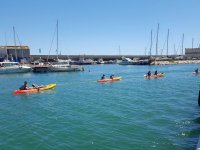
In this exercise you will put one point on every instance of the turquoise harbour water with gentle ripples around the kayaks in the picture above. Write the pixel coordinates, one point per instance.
(134, 113)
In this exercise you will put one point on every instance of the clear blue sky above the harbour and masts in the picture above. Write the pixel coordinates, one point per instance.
(100, 26)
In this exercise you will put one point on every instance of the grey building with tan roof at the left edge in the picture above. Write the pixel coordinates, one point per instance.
(15, 53)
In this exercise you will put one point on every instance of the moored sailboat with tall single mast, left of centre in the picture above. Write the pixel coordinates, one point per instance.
(63, 65)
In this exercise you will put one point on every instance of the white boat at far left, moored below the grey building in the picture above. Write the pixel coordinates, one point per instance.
(13, 67)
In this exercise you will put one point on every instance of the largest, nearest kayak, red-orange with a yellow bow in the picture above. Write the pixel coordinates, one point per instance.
(33, 90)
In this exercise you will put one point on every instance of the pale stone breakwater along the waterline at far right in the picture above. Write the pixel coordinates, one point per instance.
(172, 62)
